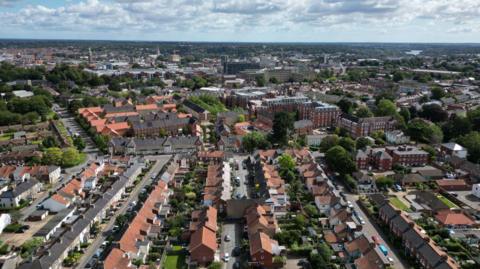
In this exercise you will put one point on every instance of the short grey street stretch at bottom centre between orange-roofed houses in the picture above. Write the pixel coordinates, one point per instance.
(234, 230)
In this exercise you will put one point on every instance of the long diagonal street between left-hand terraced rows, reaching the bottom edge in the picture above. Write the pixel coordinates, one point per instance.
(90, 251)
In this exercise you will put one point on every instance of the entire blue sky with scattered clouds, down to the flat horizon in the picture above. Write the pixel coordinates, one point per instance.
(244, 20)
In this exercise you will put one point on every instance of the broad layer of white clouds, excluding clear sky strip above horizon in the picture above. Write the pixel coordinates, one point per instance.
(218, 17)
